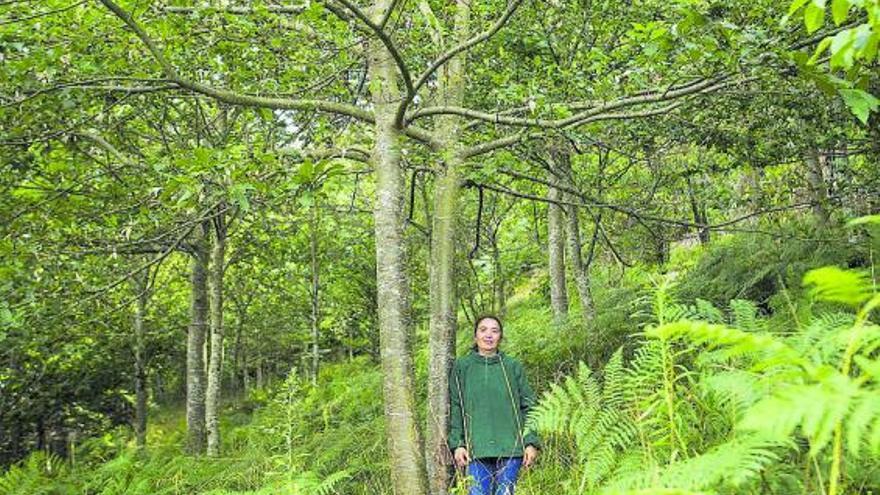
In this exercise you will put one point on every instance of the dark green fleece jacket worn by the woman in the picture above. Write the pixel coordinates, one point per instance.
(489, 401)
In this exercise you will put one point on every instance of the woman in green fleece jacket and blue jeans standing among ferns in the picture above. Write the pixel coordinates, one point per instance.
(489, 399)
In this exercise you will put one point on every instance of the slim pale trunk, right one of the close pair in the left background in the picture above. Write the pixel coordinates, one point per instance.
(215, 365)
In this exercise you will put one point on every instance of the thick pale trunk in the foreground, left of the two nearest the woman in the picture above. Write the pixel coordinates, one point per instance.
(402, 430)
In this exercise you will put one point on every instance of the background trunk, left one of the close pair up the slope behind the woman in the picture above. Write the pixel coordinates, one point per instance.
(556, 255)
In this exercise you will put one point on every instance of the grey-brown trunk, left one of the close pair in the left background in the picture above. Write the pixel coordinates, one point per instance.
(195, 347)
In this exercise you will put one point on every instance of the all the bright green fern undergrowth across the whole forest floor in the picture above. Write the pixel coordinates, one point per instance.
(683, 400)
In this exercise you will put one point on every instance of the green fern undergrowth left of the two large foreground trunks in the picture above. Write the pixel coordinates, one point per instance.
(300, 439)
